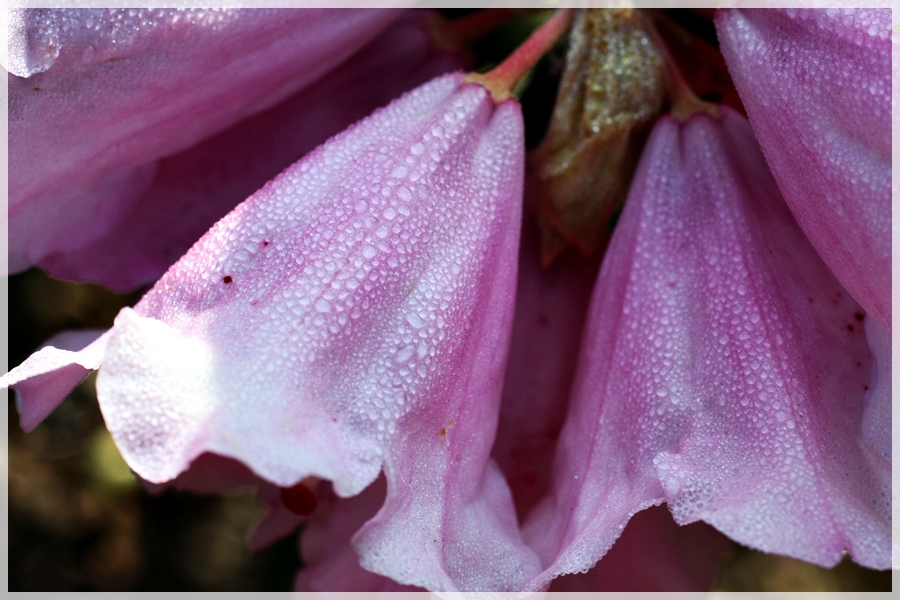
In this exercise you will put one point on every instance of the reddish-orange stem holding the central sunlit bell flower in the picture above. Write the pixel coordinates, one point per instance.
(502, 79)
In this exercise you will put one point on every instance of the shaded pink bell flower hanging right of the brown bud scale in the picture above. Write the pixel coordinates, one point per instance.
(723, 372)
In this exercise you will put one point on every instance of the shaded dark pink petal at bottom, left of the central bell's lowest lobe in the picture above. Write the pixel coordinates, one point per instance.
(330, 563)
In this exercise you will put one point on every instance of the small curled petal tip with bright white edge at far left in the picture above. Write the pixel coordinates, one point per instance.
(48, 375)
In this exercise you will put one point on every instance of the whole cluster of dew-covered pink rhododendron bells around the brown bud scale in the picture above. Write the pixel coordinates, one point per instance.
(343, 334)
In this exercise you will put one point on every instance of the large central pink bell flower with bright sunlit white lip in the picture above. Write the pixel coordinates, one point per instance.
(338, 320)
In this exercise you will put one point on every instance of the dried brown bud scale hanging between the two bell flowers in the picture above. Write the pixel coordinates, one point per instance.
(613, 87)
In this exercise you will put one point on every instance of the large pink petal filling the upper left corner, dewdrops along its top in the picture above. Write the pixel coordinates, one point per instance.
(96, 96)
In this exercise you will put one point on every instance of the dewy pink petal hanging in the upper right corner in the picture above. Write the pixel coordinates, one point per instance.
(817, 87)
